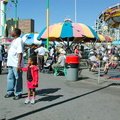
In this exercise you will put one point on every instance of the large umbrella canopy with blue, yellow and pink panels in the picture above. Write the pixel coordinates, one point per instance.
(68, 30)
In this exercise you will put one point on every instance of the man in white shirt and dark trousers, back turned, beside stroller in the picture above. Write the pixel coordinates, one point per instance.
(41, 51)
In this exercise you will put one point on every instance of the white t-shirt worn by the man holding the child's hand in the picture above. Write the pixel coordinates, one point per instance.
(16, 47)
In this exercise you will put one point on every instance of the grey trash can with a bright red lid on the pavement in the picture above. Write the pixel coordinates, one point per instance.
(72, 67)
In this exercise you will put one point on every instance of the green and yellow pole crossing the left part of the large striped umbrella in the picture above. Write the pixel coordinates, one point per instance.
(47, 23)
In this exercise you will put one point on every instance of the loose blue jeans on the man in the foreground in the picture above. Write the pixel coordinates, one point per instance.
(14, 81)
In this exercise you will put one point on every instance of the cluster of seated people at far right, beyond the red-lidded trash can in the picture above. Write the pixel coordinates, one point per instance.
(106, 56)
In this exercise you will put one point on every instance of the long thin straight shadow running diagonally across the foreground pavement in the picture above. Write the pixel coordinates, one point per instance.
(58, 103)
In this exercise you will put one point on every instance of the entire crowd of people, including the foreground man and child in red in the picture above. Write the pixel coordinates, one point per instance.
(18, 54)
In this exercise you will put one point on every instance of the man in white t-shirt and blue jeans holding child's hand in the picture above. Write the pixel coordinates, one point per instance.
(14, 63)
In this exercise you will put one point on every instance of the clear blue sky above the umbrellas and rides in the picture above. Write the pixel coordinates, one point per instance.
(87, 11)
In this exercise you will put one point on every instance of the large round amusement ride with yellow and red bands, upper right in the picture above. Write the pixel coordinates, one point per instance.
(108, 22)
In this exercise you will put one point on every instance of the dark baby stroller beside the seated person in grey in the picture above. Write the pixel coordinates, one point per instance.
(47, 68)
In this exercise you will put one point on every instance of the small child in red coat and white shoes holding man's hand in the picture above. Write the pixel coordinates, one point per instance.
(32, 78)
